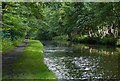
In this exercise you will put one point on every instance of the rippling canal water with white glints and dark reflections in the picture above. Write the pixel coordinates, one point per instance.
(79, 61)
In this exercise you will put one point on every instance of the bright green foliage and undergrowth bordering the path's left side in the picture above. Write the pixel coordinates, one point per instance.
(20, 21)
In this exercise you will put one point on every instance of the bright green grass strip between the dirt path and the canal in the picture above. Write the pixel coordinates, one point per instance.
(31, 65)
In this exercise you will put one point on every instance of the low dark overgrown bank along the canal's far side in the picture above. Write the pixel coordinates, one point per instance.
(108, 41)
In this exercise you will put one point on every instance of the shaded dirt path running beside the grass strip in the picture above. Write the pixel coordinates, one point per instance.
(9, 57)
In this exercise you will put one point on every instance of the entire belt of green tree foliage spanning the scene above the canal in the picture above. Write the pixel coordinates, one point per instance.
(36, 20)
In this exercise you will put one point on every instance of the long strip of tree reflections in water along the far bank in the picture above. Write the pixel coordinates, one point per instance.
(91, 49)
